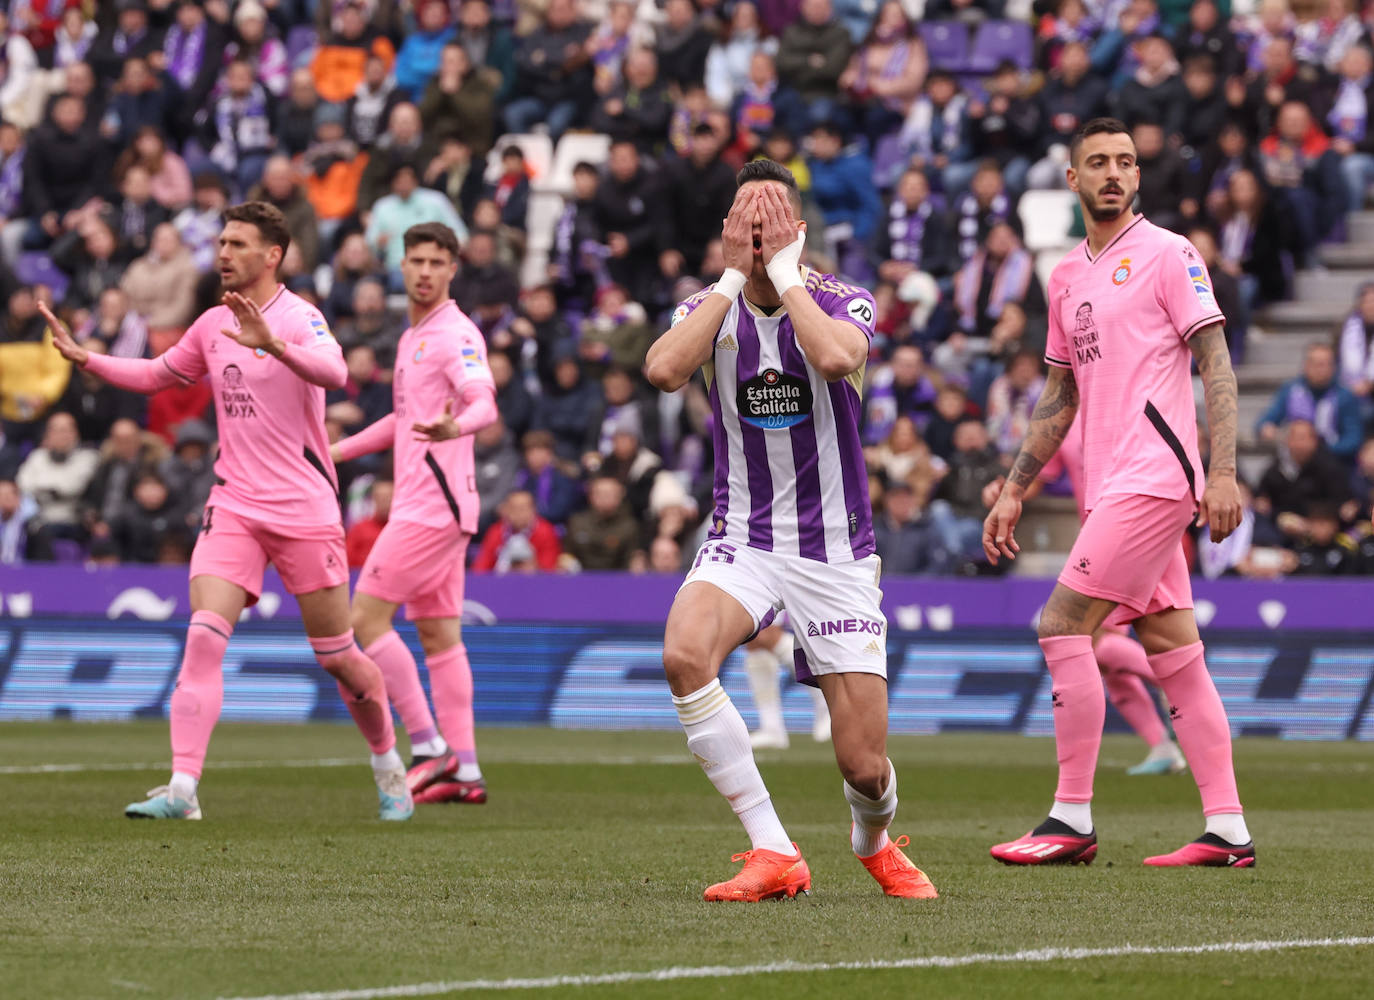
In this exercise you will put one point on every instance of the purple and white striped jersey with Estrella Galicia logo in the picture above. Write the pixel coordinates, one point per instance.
(791, 473)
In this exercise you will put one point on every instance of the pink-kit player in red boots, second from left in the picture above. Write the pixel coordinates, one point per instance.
(443, 395)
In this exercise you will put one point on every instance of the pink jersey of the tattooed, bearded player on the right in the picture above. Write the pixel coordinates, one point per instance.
(1122, 322)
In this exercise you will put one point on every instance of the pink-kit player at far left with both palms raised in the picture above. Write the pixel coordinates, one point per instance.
(270, 358)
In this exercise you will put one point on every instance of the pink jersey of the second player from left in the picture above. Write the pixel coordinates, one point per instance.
(436, 481)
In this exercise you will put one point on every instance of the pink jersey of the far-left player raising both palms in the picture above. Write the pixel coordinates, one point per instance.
(274, 454)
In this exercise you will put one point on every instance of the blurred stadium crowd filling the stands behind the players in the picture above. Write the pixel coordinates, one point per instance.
(126, 128)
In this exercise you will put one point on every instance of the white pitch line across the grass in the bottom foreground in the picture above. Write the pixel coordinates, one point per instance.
(876, 965)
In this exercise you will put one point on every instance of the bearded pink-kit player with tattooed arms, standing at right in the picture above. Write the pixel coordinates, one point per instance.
(1130, 310)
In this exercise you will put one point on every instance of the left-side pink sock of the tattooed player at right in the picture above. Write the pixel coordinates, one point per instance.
(1079, 712)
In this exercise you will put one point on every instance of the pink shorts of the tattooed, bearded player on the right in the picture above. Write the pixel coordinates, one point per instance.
(1130, 552)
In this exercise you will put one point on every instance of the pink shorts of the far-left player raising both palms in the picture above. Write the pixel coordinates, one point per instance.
(238, 549)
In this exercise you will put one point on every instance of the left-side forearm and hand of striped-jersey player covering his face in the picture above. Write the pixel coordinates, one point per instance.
(688, 345)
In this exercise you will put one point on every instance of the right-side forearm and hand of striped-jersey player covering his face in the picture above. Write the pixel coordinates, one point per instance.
(835, 348)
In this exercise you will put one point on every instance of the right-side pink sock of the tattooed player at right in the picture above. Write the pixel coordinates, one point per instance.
(1202, 726)
